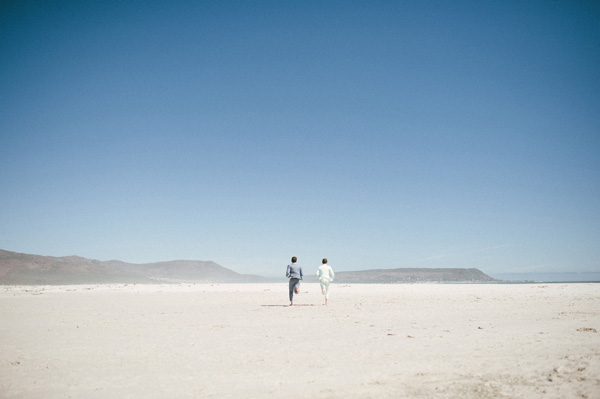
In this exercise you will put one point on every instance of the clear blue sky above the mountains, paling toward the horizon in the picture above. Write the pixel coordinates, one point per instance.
(378, 134)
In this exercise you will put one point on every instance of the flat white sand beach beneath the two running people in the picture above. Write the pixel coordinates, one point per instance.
(243, 341)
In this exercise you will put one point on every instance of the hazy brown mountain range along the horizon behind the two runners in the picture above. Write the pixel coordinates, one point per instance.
(26, 269)
